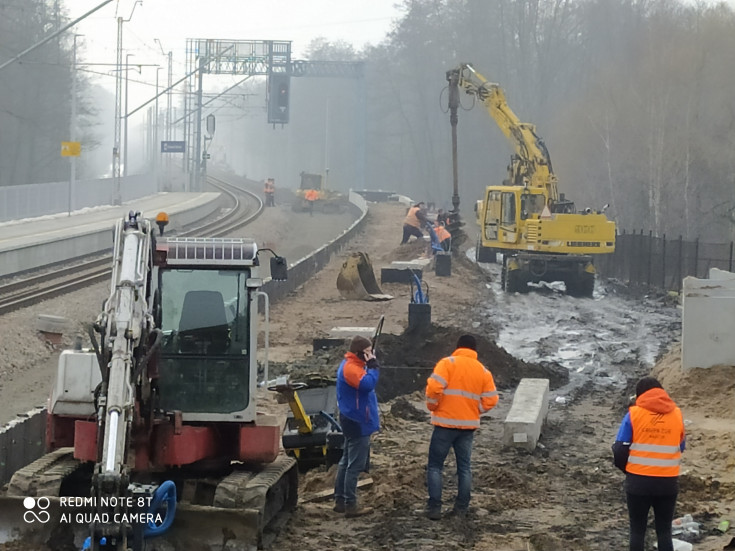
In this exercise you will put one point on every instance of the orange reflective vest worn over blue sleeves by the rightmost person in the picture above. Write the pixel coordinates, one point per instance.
(658, 431)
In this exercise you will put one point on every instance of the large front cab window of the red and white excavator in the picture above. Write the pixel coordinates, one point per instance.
(204, 361)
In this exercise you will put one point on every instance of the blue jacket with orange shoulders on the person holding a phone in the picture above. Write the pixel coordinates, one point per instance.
(356, 392)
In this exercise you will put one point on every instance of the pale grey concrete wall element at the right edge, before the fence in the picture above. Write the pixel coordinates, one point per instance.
(708, 320)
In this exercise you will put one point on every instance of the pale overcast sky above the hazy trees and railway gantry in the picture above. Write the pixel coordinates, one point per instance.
(358, 22)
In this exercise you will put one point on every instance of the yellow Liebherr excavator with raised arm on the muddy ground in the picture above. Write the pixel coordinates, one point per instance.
(539, 232)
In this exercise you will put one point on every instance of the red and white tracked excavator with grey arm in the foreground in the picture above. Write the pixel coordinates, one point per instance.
(157, 426)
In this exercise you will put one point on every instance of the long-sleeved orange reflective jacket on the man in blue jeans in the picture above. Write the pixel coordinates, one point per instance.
(459, 390)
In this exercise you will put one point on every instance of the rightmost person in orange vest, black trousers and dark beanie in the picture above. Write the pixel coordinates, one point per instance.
(648, 449)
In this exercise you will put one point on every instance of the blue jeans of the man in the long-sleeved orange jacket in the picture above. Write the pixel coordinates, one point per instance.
(442, 440)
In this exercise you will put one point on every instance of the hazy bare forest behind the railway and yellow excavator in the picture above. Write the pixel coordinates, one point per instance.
(632, 97)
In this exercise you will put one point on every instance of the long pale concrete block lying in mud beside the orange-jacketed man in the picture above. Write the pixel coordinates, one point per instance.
(522, 427)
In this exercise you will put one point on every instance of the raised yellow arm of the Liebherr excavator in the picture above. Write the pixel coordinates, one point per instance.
(531, 164)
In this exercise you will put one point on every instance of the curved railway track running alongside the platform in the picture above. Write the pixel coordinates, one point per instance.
(243, 206)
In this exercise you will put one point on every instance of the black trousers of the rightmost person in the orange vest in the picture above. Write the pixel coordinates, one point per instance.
(663, 512)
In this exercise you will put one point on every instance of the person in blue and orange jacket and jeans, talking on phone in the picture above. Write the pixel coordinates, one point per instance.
(357, 377)
